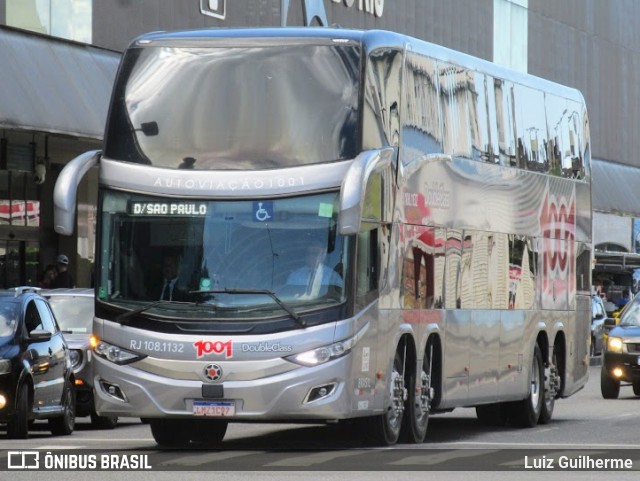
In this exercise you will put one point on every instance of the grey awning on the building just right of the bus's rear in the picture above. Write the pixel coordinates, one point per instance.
(615, 188)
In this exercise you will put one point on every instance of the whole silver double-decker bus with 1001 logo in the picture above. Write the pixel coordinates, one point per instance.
(362, 227)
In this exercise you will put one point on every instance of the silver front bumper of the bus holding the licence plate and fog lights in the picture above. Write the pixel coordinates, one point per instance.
(302, 393)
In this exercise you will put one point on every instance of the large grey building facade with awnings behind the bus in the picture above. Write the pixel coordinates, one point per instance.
(591, 45)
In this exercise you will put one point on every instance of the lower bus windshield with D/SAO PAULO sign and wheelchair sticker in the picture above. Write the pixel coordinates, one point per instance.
(221, 259)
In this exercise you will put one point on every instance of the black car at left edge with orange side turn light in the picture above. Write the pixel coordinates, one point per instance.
(36, 377)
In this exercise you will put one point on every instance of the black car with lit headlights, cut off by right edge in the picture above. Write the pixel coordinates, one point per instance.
(621, 359)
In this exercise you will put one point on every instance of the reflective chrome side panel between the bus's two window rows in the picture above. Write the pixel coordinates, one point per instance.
(446, 191)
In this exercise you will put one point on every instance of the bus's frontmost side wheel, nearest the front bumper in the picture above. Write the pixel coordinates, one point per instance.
(384, 430)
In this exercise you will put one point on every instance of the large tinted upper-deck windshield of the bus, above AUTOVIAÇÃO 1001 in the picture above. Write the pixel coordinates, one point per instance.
(252, 107)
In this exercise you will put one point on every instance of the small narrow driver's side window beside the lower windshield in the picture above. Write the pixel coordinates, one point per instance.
(367, 267)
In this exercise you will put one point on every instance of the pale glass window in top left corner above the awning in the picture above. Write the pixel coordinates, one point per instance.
(70, 19)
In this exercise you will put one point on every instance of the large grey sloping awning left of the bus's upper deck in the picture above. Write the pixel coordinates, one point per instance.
(53, 85)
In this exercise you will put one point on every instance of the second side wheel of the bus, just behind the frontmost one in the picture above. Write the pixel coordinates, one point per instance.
(418, 405)
